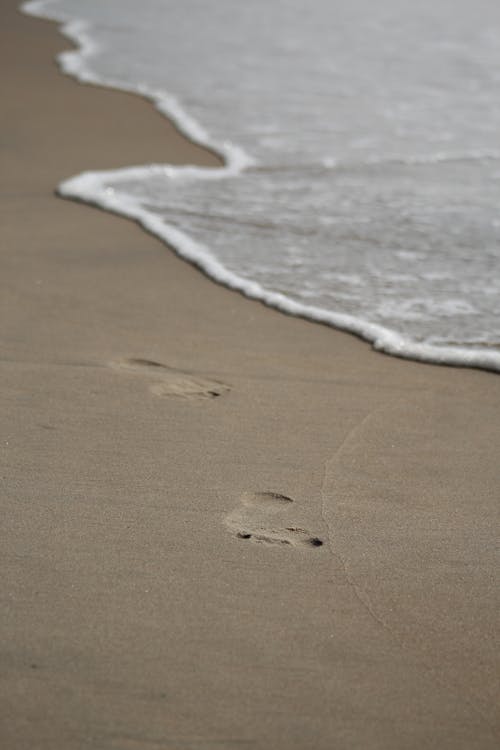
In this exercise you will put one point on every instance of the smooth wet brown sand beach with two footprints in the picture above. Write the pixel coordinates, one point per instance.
(222, 527)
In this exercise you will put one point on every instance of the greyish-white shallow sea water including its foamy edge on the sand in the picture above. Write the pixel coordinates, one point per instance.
(361, 143)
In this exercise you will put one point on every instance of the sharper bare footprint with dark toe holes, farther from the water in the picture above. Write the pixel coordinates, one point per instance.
(261, 517)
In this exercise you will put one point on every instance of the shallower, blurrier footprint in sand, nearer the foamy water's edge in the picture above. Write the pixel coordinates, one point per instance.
(168, 381)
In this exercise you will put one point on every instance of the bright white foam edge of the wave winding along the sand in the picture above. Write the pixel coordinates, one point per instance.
(90, 187)
